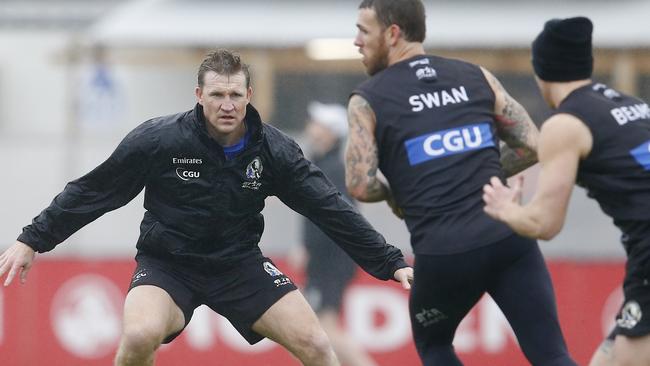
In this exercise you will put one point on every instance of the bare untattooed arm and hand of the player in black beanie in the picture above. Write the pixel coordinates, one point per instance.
(564, 141)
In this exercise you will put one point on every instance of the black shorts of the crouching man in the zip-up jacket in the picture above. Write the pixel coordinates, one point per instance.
(241, 293)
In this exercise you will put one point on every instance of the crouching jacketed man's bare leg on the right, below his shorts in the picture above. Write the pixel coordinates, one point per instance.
(293, 324)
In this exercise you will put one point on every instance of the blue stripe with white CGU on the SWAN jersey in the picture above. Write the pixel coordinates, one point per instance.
(449, 142)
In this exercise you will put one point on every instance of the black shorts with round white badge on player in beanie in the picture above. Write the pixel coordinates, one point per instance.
(633, 319)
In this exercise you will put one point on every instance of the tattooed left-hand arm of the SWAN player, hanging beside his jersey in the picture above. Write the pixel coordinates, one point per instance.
(361, 157)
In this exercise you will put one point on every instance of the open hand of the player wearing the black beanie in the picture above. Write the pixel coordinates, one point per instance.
(500, 200)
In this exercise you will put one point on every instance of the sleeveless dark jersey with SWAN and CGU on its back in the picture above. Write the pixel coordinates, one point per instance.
(437, 147)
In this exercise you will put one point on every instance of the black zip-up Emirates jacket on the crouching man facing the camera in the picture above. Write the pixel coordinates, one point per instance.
(203, 210)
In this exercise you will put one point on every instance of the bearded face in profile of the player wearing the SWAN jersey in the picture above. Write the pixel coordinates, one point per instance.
(371, 42)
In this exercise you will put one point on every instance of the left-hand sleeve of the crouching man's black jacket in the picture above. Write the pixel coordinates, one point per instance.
(107, 187)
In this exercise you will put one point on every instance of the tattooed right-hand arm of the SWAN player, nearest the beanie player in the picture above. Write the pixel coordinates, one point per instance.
(515, 128)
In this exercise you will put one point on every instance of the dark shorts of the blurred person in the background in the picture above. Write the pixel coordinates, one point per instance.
(328, 275)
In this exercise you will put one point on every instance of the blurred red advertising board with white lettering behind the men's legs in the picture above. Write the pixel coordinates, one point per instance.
(69, 313)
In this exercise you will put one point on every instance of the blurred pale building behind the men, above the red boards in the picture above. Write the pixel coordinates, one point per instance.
(299, 51)
